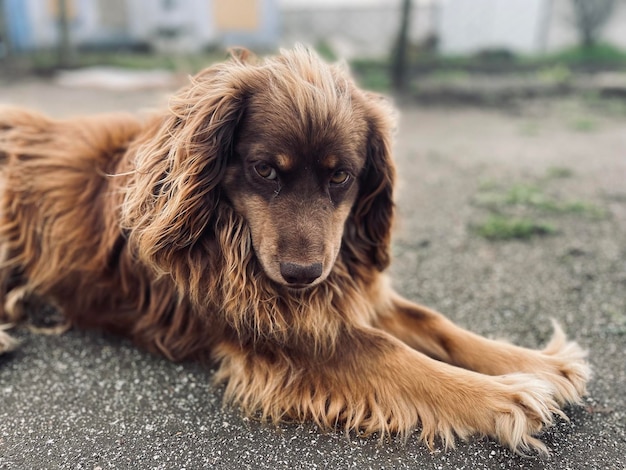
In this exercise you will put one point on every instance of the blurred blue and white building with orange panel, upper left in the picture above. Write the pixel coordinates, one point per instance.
(170, 25)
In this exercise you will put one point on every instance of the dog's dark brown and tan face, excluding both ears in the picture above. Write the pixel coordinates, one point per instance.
(294, 177)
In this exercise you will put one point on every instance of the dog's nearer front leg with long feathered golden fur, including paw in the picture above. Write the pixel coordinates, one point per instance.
(371, 382)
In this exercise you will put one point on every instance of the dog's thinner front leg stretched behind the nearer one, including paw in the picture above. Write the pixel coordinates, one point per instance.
(561, 363)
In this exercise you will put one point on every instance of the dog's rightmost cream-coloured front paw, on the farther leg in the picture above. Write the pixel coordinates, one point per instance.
(565, 368)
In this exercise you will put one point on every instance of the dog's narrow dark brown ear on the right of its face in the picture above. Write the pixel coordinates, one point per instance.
(368, 229)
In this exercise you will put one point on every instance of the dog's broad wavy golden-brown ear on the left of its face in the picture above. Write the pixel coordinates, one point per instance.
(174, 187)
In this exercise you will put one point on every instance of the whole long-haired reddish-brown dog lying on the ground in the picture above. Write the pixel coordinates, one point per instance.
(250, 225)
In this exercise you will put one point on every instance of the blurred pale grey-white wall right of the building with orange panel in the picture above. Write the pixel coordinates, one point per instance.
(369, 27)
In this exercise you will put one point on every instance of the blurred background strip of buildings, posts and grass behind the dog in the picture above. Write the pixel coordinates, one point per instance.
(431, 49)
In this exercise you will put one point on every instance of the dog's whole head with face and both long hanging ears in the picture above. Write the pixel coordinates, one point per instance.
(299, 152)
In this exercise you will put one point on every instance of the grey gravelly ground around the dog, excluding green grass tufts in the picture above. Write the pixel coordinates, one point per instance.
(87, 400)
